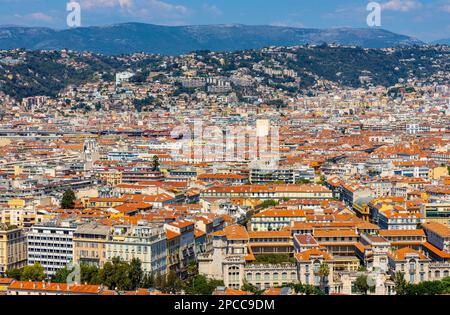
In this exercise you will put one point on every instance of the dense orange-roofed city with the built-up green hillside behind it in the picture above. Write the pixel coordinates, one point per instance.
(225, 173)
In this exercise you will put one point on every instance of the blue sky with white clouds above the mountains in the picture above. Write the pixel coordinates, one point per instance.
(424, 19)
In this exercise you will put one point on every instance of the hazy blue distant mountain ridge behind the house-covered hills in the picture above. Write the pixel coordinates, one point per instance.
(175, 40)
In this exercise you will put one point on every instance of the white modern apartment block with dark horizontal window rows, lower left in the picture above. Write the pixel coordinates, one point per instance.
(51, 245)
